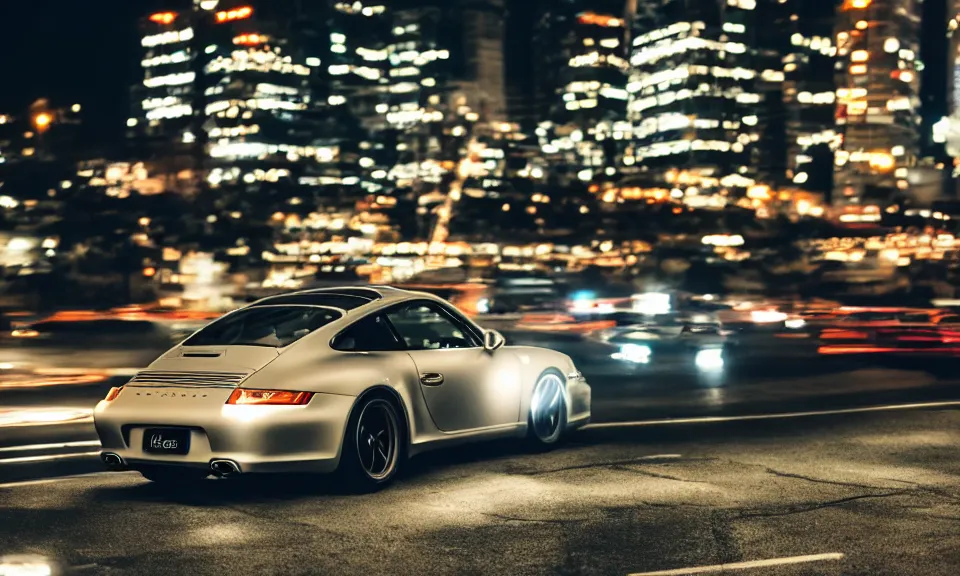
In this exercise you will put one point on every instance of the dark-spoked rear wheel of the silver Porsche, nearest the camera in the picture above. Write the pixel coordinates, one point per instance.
(372, 449)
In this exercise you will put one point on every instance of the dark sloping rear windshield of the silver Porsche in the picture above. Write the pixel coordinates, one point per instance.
(271, 326)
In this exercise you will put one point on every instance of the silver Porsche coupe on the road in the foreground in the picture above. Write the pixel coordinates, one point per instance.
(352, 380)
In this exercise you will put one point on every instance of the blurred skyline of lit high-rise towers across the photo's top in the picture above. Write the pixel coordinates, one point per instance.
(638, 100)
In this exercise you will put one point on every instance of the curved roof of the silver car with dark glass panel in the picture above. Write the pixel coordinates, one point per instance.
(344, 299)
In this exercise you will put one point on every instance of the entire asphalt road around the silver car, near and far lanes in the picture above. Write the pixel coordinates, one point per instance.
(767, 462)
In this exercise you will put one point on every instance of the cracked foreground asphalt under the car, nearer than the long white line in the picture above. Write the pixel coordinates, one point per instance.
(870, 494)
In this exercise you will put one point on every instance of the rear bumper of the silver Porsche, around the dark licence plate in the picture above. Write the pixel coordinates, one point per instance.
(257, 438)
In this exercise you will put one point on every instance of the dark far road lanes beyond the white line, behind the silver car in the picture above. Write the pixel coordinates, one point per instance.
(46, 427)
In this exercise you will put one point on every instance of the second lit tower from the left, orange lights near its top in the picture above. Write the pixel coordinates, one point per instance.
(268, 114)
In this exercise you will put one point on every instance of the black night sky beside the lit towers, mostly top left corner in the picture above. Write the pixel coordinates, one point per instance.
(86, 51)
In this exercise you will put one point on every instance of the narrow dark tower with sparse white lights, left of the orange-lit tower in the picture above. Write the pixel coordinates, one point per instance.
(808, 52)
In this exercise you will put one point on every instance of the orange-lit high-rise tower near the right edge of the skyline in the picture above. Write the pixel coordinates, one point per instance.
(878, 102)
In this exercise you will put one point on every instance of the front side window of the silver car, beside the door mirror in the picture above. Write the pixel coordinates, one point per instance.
(425, 327)
